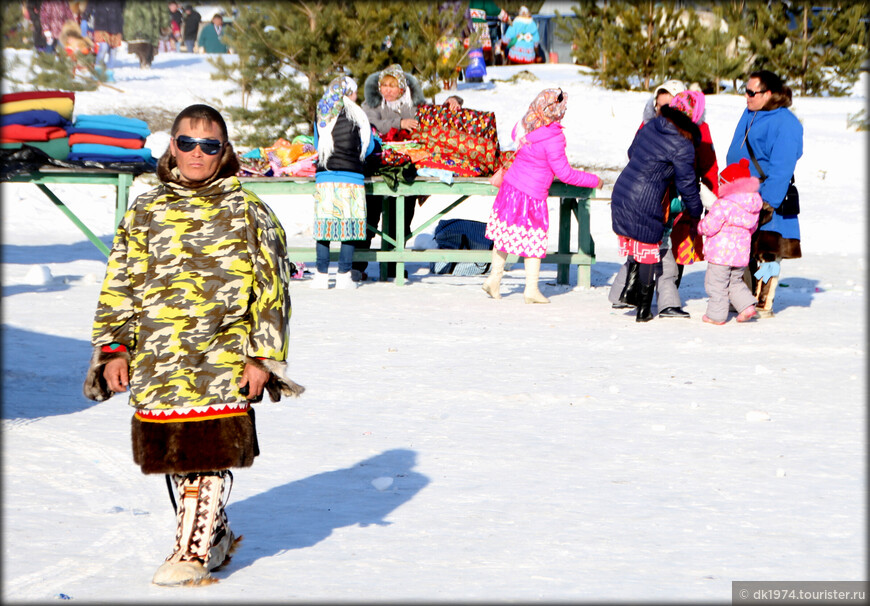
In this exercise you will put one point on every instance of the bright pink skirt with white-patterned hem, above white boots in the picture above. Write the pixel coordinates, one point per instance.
(518, 224)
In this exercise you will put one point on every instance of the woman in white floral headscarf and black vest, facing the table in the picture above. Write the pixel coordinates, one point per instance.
(343, 138)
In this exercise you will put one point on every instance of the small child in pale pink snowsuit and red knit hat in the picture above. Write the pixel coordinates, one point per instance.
(728, 229)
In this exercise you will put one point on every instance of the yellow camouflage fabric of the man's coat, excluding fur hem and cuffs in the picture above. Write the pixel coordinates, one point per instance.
(196, 285)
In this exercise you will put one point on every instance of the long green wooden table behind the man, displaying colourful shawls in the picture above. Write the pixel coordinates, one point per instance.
(574, 204)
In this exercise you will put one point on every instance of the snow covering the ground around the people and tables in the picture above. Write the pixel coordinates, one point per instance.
(453, 447)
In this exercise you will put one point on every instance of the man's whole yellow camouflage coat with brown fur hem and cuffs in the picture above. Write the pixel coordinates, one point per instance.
(196, 287)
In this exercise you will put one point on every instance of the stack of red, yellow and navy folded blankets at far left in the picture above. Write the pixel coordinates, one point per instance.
(37, 119)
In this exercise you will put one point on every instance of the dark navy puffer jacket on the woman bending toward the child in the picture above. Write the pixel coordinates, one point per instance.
(659, 155)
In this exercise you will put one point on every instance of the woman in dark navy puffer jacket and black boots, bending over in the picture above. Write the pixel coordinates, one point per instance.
(663, 152)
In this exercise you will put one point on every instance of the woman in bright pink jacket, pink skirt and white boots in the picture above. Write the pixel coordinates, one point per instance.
(520, 219)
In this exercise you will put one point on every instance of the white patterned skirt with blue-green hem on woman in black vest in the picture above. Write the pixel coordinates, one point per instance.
(339, 212)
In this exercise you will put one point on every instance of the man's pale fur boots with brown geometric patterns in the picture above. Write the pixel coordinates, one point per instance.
(203, 539)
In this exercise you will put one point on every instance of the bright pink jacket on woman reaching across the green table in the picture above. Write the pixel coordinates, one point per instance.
(542, 157)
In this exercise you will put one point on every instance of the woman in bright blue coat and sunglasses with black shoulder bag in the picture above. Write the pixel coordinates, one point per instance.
(772, 133)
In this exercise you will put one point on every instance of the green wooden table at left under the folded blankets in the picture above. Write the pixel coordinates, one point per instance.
(49, 175)
